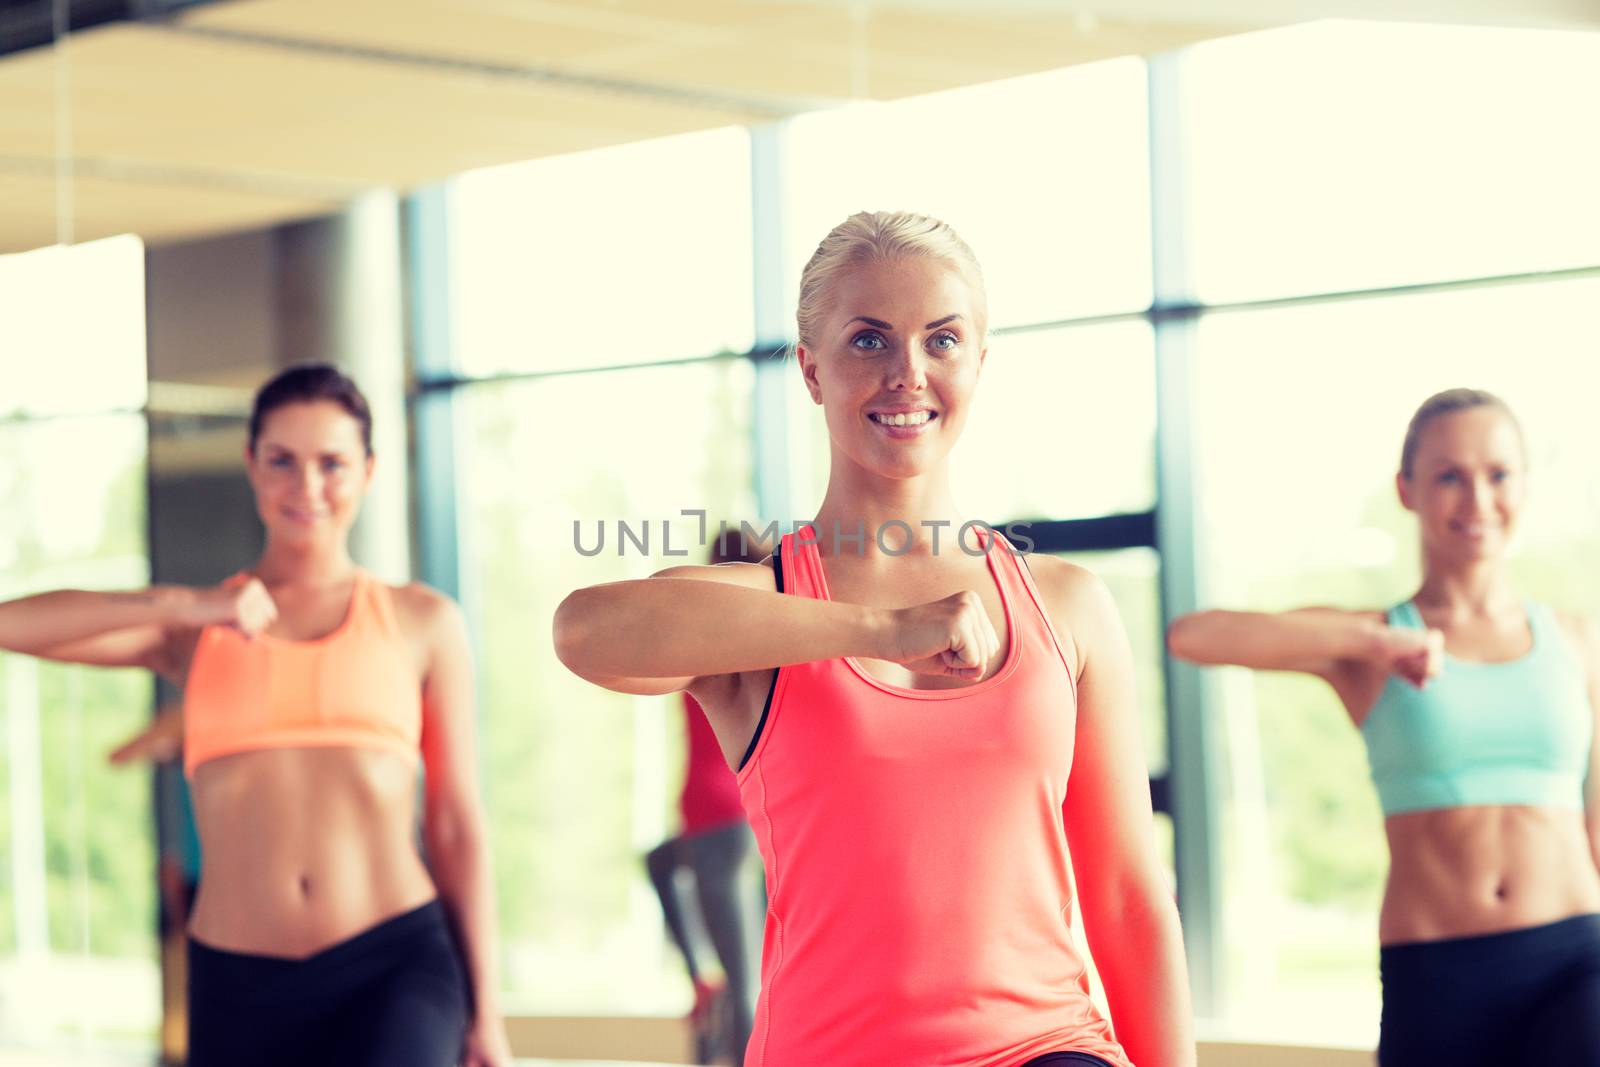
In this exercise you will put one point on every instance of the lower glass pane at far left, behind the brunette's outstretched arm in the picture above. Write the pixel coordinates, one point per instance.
(78, 861)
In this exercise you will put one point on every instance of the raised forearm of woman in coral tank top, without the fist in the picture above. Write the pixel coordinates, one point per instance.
(670, 628)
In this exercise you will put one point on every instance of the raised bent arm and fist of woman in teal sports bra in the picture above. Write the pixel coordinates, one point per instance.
(1322, 642)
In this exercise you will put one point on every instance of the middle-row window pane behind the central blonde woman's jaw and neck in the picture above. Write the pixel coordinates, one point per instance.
(1047, 399)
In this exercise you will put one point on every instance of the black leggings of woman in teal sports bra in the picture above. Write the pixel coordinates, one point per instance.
(1519, 997)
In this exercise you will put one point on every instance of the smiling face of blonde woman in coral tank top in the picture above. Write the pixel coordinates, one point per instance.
(895, 362)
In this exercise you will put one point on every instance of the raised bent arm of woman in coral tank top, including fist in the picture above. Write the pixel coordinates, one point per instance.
(660, 634)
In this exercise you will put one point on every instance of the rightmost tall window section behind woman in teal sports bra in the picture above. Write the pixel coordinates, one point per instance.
(1450, 158)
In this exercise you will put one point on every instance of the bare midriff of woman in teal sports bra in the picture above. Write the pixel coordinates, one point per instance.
(1460, 873)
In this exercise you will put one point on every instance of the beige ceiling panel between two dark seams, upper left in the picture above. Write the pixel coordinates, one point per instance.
(294, 122)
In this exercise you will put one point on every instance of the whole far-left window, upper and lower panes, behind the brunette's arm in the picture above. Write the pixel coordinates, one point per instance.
(78, 863)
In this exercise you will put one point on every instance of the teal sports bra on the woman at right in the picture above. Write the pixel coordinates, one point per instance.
(1510, 733)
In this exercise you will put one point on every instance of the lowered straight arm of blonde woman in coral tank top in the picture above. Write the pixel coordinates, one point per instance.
(1129, 914)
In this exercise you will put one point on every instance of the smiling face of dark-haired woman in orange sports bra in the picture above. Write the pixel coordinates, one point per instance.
(310, 470)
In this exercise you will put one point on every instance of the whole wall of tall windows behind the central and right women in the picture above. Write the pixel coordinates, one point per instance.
(1450, 158)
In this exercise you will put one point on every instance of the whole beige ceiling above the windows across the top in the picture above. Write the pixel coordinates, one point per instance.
(246, 114)
